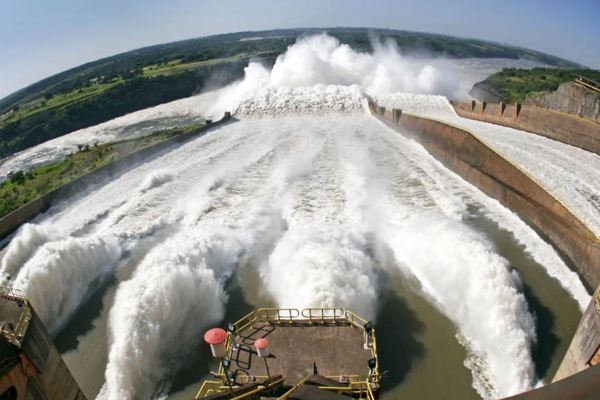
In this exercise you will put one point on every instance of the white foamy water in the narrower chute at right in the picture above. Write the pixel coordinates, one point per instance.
(569, 173)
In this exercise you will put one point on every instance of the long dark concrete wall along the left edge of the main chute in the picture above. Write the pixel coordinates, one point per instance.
(16, 218)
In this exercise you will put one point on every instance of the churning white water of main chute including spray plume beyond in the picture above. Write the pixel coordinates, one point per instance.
(322, 202)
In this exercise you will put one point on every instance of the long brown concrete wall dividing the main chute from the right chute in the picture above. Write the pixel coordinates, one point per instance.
(466, 155)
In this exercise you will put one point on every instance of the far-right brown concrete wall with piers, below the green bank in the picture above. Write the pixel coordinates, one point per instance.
(566, 128)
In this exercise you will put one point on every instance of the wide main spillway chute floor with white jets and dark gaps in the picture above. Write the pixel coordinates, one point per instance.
(301, 210)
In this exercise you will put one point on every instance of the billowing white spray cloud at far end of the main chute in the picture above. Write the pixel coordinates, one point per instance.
(318, 69)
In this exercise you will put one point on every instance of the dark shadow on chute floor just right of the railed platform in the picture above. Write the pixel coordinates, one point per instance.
(397, 328)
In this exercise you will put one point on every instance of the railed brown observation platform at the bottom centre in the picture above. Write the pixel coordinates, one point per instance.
(313, 353)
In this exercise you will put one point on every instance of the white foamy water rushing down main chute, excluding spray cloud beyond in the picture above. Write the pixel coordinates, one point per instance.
(295, 196)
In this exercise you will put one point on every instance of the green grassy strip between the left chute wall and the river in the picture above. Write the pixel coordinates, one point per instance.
(22, 187)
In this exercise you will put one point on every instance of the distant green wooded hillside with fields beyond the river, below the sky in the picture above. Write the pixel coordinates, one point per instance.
(107, 88)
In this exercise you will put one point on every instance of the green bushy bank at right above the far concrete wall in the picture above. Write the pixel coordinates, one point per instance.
(513, 85)
